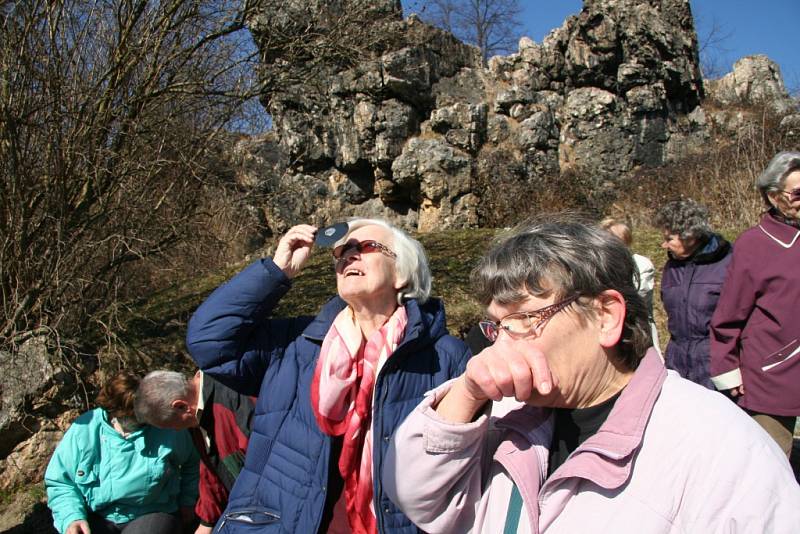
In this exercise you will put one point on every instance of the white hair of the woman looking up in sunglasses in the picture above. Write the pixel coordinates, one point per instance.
(411, 262)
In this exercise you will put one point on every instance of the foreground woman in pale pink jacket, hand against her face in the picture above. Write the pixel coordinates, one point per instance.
(569, 423)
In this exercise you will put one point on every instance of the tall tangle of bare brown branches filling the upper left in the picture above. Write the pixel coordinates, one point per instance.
(110, 115)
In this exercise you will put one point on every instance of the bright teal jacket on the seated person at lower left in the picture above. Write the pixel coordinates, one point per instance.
(95, 469)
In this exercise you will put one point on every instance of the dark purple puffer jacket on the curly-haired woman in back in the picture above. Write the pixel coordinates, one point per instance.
(690, 290)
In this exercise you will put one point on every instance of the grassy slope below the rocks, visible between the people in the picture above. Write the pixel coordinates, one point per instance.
(153, 328)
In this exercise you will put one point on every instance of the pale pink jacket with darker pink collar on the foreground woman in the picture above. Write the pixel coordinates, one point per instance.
(672, 457)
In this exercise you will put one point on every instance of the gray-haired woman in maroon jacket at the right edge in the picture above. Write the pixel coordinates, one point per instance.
(755, 331)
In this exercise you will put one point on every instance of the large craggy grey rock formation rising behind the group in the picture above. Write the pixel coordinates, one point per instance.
(403, 124)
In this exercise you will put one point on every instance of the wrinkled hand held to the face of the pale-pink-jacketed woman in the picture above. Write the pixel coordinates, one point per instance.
(509, 368)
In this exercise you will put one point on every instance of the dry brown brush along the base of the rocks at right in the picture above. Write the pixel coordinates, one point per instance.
(721, 176)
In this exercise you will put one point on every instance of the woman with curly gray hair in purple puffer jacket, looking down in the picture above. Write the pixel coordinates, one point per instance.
(690, 285)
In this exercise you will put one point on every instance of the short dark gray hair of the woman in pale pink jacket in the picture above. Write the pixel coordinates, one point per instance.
(567, 255)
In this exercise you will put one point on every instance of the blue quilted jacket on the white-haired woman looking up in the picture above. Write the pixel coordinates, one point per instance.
(283, 484)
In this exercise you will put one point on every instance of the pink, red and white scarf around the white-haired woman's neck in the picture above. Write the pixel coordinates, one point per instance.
(341, 395)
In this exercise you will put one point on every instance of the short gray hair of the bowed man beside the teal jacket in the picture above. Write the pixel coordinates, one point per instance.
(157, 390)
